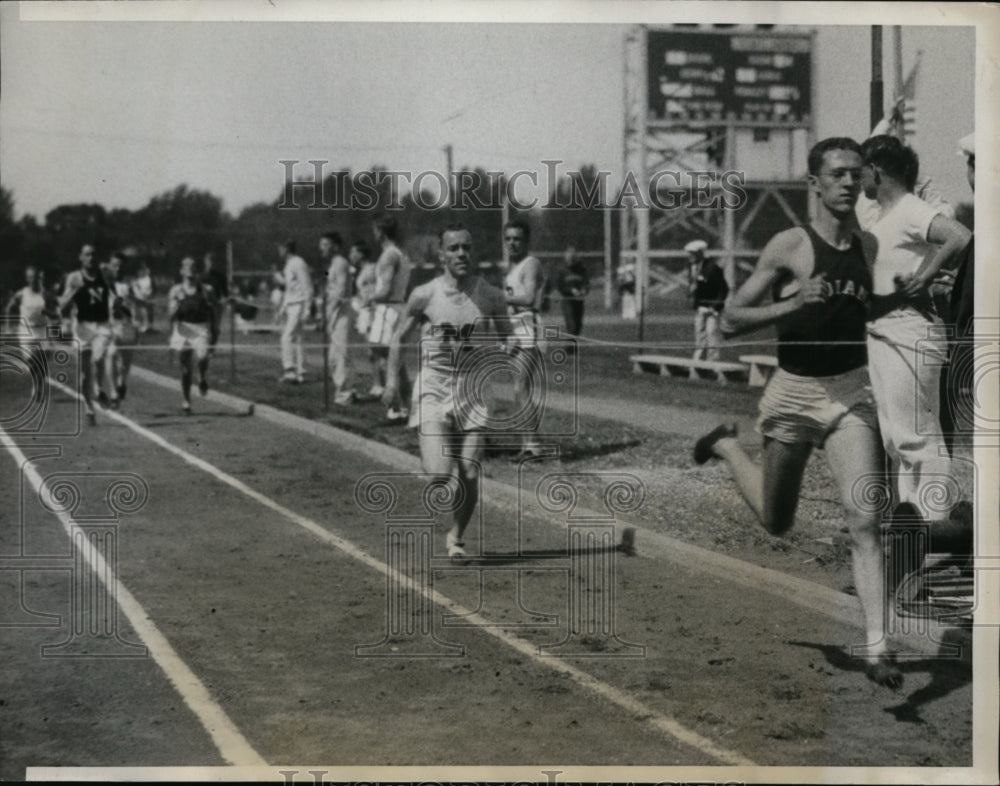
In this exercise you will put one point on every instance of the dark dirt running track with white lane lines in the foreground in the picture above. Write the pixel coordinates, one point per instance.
(264, 590)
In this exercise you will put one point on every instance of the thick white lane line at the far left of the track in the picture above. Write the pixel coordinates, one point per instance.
(232, 745)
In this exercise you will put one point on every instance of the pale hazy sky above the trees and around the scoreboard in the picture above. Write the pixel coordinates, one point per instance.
(117, 111)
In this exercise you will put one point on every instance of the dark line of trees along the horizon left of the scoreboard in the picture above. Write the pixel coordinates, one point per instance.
(184, 221)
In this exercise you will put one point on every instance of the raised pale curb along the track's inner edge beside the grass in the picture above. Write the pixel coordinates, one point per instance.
(837, 606)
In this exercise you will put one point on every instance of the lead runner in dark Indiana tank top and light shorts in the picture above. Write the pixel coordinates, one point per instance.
(818, 283)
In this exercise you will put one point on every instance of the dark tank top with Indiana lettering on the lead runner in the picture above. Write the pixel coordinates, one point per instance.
(823, 339)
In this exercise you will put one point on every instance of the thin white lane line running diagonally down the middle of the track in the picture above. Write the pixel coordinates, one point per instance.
(641, 713)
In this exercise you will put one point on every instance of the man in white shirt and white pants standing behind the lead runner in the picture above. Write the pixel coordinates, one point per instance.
(908, 243)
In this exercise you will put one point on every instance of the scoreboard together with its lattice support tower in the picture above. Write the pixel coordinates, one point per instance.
(696, 101)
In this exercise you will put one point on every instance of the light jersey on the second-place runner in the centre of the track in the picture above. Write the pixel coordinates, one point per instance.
(453, 320)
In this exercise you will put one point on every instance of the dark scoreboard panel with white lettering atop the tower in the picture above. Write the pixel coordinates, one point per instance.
(750, 77)
